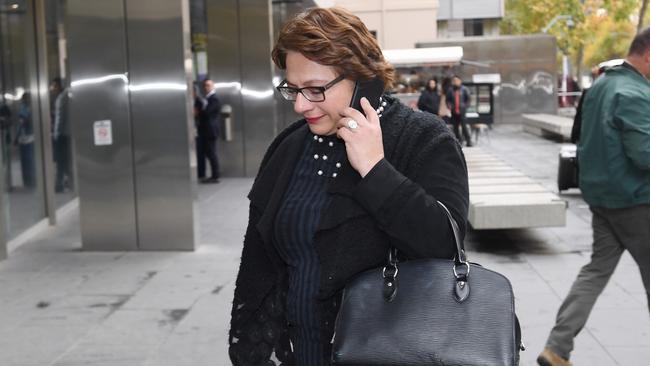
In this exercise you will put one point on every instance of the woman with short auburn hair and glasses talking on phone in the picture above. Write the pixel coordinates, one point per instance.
(335, 190)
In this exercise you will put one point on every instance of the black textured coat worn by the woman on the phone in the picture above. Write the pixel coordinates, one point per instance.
(394, 205)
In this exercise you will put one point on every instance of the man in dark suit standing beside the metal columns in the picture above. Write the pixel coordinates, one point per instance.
(209, 109)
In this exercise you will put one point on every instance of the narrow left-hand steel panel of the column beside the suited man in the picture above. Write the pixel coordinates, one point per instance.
(224, 59)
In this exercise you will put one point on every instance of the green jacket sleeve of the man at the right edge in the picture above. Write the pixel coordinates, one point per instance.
(634, 119)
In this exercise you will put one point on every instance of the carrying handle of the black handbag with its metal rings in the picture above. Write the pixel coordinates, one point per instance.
(460, 259)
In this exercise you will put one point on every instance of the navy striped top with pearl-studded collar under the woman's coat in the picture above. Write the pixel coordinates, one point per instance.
(296, 222)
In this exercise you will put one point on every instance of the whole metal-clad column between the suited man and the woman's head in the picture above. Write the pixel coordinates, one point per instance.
(240, 39)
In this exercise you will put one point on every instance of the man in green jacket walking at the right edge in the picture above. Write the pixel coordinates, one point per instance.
(614, 156)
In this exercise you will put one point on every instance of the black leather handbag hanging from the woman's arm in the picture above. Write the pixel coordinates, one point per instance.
(427, 312)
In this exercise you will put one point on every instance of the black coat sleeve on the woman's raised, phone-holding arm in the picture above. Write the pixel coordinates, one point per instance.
(406, 208)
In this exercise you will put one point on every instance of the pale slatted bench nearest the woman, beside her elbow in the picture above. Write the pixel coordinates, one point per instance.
(504, 198)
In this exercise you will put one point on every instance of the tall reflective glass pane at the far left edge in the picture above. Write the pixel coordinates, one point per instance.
(20, 132)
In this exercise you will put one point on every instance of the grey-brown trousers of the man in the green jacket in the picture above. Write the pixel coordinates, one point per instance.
(614, 231)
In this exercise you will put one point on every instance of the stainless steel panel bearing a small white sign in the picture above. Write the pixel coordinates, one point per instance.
(98, 72)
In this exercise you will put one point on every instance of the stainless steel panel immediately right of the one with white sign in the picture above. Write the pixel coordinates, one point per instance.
(158, 47)
